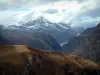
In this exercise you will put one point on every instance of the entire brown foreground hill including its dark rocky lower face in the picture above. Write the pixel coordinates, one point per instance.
(24, 60)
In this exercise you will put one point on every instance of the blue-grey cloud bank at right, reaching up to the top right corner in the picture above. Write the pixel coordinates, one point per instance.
(88, 18)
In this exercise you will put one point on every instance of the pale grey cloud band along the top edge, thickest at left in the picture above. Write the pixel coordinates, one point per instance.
(26, 3)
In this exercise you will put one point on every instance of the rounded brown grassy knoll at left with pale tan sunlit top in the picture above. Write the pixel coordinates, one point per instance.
(13, 57)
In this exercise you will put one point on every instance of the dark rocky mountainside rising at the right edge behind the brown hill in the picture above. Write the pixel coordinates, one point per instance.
(87, 44)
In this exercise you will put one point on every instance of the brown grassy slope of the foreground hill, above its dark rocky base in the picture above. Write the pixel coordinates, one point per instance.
(14, 57)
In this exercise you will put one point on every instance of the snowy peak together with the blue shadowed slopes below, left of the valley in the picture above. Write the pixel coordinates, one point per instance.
(39, 34)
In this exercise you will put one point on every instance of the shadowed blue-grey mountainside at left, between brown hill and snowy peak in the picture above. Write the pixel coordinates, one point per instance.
(34, 39)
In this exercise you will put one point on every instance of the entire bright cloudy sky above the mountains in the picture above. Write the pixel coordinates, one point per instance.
(75, 12)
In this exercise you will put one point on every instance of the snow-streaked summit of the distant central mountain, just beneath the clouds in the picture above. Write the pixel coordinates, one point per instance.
(42, 23)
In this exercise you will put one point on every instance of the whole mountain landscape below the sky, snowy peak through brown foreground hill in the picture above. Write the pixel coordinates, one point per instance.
(36, 48)
